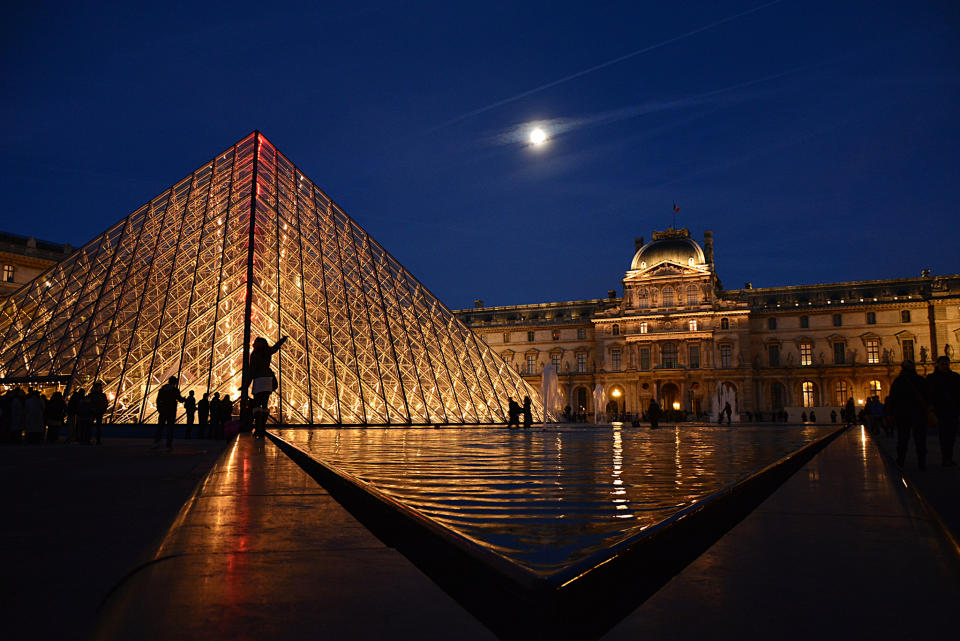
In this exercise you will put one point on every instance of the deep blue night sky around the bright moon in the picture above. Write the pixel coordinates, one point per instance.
(819, 140)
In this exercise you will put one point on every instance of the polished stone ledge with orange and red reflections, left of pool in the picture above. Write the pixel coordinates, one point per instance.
(262, 552)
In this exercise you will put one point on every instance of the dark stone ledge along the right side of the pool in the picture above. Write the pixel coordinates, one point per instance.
(842, 550)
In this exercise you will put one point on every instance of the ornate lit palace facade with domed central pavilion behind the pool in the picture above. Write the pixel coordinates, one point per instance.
(676, 335)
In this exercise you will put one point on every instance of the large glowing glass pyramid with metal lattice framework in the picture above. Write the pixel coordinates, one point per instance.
(248, 246)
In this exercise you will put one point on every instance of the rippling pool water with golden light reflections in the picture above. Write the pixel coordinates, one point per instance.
(547, 498)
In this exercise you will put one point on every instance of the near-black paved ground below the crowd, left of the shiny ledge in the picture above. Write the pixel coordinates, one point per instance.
(76, 519)
